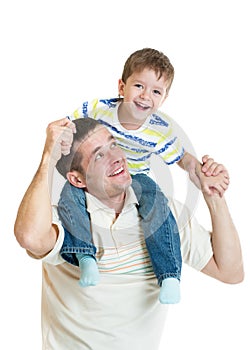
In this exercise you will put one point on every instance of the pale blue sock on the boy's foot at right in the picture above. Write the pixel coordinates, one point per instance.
(170, 291)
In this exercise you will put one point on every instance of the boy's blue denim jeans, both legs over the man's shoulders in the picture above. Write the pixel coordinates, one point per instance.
(158, 223)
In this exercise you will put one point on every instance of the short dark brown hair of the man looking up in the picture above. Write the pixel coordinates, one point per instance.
(72, 161)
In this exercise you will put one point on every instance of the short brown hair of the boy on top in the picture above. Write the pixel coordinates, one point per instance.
(152, 59)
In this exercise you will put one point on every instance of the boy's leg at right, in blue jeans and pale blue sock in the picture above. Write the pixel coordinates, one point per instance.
(161, 236)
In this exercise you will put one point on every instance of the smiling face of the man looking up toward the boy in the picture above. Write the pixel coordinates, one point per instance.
(105, 165)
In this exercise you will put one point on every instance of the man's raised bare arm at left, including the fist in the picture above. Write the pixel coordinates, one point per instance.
(33, 226)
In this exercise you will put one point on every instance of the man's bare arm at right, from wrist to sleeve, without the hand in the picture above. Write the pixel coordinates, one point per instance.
(226, 264)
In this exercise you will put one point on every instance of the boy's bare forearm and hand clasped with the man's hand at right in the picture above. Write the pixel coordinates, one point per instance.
(207, 176)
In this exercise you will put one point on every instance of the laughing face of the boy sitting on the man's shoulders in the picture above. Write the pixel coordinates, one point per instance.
(143, 93)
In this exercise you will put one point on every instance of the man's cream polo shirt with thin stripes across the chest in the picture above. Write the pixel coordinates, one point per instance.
(122, 312)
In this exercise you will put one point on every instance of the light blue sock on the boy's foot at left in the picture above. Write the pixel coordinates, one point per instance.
(89, 273)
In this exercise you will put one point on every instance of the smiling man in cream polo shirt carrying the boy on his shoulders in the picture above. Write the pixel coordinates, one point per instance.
(122, 311)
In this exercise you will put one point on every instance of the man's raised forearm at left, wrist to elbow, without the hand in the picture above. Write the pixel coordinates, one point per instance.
(34, 217)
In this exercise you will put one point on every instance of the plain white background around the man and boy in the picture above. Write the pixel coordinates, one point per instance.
(57, 53)
